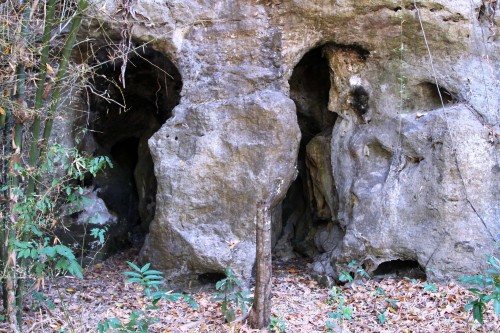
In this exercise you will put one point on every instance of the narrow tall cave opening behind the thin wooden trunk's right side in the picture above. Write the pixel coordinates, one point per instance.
(311, 199)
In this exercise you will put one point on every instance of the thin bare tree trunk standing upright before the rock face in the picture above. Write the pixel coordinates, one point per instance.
(260, 314)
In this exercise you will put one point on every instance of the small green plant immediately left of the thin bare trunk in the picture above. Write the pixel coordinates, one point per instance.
(232, 296)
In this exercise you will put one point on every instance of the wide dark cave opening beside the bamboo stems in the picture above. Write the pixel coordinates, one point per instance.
(123, 116)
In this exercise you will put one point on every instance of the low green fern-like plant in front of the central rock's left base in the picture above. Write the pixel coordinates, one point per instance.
(140, 320)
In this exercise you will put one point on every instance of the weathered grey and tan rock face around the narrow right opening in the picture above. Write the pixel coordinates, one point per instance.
(411, 170)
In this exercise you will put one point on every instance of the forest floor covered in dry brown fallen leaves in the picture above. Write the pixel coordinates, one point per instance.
(299, 304)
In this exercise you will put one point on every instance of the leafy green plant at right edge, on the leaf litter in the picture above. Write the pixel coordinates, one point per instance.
(488, 289)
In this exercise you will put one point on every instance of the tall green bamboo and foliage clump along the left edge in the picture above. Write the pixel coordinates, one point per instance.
(31, 94)
